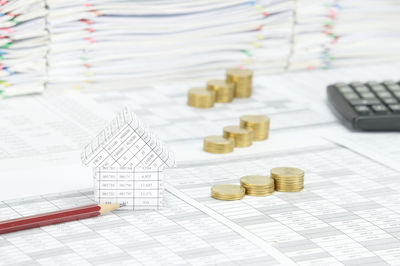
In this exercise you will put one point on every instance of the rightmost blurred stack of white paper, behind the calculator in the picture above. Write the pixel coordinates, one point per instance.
(368, 32)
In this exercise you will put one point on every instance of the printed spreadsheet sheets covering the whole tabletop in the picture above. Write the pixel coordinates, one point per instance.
(347, 214)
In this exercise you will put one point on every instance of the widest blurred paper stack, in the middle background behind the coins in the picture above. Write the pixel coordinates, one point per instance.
(117, 44)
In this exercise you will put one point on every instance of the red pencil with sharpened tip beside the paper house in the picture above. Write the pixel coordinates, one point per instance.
(55, 217)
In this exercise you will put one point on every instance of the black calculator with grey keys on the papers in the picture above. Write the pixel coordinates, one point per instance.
(373, 106)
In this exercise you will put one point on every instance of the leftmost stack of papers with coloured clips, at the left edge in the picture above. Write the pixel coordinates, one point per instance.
(23, 46)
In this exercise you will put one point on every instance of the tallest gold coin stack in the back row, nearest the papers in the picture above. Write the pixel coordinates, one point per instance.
(242, 80)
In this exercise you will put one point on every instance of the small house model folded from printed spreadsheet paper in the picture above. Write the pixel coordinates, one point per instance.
(128, 162)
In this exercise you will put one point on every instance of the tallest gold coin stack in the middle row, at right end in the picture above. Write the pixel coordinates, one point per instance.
(258, 123)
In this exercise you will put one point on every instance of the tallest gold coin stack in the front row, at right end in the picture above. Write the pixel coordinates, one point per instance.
(288, 179)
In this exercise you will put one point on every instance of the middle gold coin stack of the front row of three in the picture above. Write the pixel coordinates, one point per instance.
(258, 185)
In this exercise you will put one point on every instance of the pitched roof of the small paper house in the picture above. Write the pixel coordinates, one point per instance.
(127, 142)
